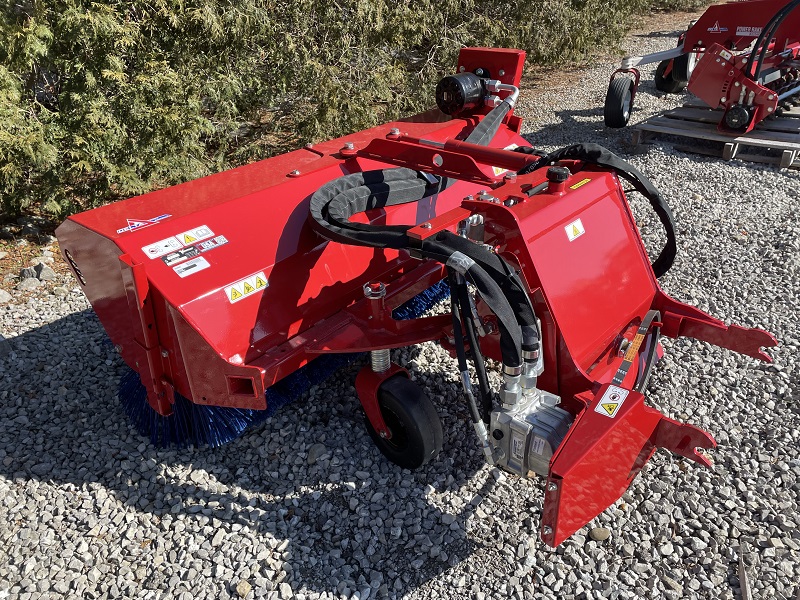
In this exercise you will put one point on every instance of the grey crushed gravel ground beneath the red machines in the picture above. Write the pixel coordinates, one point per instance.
(300, 507)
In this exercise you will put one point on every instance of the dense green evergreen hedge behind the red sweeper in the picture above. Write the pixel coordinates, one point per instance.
(108, 98)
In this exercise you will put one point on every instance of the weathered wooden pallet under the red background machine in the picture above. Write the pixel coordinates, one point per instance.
(698, 122)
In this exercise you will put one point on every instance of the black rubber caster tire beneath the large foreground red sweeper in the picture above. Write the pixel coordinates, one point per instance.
(411, 417)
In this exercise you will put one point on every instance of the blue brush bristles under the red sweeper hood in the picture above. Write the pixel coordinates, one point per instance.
(200, 425)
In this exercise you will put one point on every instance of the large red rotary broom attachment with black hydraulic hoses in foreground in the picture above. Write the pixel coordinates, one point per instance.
(223, 288)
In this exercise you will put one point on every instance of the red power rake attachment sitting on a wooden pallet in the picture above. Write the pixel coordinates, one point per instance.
(741, 57)
